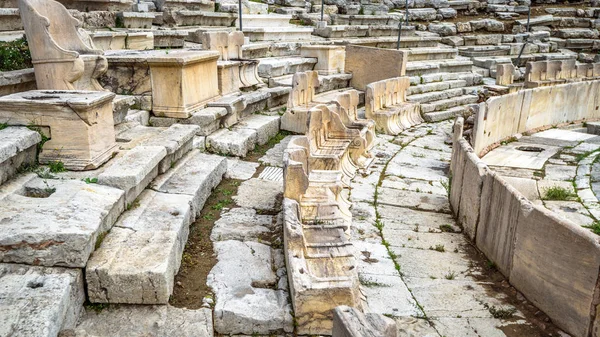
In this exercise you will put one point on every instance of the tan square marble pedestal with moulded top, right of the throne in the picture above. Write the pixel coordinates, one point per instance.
(183, 82)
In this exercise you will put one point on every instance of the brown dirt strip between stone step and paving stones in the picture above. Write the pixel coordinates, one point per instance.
(198, 257)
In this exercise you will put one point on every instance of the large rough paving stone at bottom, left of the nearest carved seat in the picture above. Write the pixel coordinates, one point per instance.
(242, 281)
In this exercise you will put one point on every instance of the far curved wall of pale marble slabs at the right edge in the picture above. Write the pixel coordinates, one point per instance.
(502, 117)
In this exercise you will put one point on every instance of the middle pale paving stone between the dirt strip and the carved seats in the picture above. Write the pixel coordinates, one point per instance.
(242, 224)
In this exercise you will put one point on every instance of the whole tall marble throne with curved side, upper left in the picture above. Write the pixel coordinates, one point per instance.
(63, 55)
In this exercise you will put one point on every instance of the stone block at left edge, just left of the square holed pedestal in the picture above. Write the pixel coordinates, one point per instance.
(18, 148)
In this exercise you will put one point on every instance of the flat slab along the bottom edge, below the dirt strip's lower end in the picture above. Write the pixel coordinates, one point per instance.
(146, 320)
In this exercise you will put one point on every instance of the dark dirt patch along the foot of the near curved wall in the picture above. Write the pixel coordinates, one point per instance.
(540, 323)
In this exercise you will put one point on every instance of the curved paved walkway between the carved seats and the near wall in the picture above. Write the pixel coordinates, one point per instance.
(415, 264)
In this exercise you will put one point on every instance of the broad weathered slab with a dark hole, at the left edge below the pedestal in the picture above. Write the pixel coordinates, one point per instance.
(36, 230)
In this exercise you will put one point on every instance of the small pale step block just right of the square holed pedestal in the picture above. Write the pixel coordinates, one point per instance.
(177, 141)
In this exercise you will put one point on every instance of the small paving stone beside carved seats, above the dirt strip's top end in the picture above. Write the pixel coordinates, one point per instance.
(259, 194)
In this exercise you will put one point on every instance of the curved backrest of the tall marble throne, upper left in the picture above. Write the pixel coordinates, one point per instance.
(52, 33)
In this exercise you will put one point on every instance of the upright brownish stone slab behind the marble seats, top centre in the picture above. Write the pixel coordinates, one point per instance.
(359, 61)
